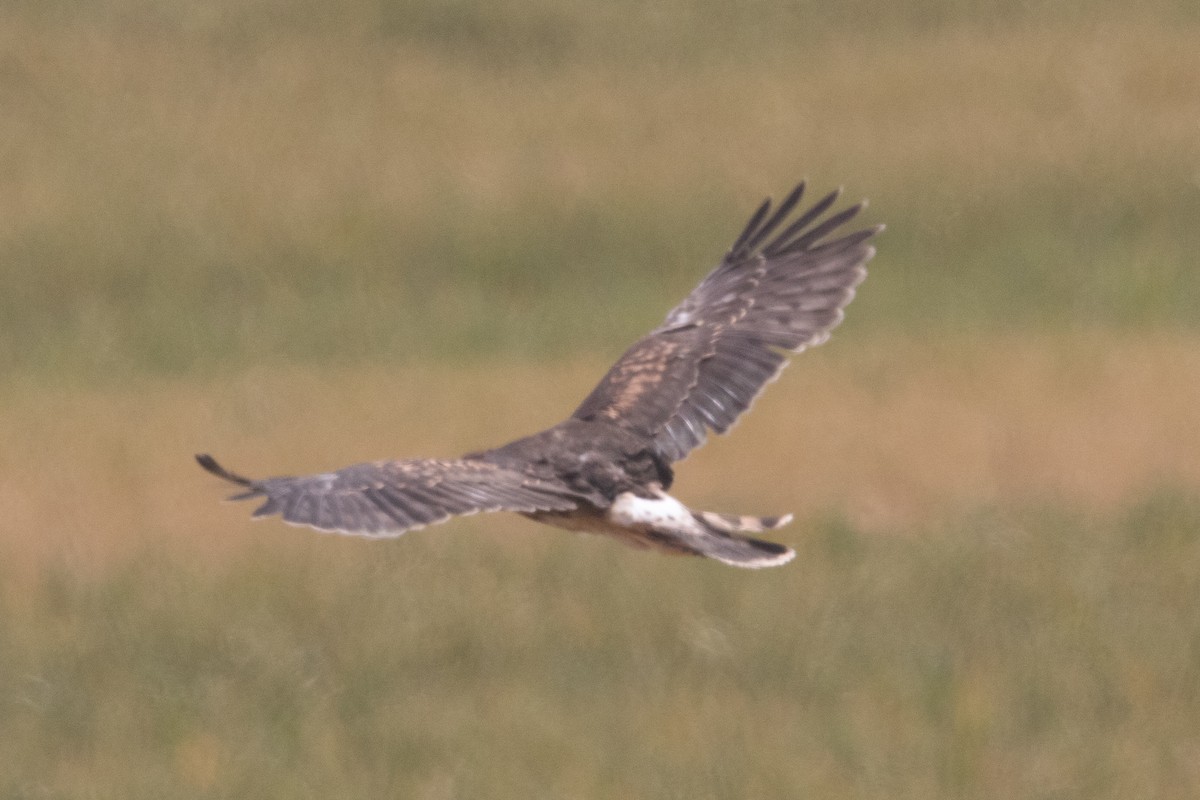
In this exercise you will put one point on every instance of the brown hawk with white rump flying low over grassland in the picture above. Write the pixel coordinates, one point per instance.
(607, 470)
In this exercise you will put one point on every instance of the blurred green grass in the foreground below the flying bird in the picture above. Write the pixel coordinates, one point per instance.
(1007, 655)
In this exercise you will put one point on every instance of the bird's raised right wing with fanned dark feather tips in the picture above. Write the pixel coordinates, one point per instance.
(778, 291)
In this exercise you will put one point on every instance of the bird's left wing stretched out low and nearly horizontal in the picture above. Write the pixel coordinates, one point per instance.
(388, 498)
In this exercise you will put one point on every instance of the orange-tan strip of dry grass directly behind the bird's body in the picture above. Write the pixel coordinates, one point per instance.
(892, 435)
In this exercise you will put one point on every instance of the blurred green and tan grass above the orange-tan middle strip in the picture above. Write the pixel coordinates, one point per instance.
(377, 182)
